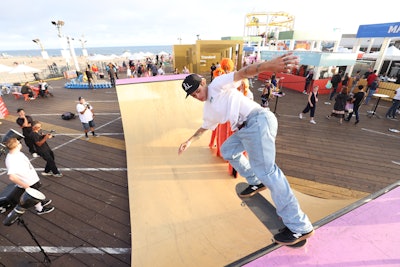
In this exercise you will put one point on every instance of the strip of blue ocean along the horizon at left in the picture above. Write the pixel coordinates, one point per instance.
(91, 51)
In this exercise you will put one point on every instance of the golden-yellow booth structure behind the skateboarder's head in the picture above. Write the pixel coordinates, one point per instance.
(199, 57)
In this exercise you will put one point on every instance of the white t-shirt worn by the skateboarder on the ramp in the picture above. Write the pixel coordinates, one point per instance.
(225, 103)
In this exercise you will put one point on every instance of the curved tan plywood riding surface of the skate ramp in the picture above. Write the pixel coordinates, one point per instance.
(184, 209)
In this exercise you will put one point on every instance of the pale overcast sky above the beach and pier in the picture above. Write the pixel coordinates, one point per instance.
(155, 22)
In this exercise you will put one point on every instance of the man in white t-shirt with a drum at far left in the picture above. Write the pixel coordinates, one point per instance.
(21, 172)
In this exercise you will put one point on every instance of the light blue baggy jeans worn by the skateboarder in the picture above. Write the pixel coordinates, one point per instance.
(258, 139)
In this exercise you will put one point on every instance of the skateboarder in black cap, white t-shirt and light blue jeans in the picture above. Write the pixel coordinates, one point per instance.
(255, 129)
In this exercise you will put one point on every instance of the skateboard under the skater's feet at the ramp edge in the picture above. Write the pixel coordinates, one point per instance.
(266, 213)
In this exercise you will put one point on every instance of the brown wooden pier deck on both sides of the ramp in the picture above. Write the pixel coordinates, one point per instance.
(92, 205)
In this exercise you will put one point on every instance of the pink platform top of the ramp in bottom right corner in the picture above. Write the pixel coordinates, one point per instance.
(367, 236)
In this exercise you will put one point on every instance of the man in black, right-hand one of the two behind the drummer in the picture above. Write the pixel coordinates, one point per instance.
(44, 150)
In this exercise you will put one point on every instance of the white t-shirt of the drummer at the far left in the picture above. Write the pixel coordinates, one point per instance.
(18, 164)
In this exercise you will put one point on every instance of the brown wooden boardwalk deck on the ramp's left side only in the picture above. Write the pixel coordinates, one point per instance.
(91, 200)
